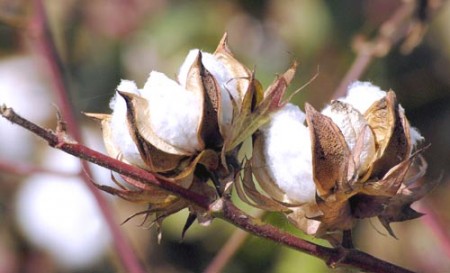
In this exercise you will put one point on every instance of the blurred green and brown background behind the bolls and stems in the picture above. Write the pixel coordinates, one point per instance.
(103, 41)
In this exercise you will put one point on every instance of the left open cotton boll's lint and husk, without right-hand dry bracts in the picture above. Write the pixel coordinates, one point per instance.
(169, 127)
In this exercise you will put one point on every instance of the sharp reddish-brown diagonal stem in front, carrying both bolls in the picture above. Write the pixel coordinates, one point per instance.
(221, 208)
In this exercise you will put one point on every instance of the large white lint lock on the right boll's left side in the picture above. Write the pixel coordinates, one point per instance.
(288, 153)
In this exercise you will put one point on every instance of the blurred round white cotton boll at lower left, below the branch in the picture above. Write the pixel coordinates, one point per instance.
(59, 215)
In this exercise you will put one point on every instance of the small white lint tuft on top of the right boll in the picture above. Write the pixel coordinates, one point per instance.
(361, 95)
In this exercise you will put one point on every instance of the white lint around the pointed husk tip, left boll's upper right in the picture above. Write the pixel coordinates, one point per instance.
(223, 77)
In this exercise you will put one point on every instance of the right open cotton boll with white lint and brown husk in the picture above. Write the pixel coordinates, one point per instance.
(357, 158)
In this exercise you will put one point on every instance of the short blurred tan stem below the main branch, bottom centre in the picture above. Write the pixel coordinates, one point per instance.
(230, 248)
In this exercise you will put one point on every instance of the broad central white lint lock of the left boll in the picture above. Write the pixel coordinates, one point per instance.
(174, 112)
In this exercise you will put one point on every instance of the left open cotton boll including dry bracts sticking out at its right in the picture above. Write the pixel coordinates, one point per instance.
(190, 129)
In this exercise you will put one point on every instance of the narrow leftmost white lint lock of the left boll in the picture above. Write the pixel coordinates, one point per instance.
(119, 130)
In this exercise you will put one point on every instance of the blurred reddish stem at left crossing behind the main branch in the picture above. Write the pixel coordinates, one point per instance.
(45, 47)
